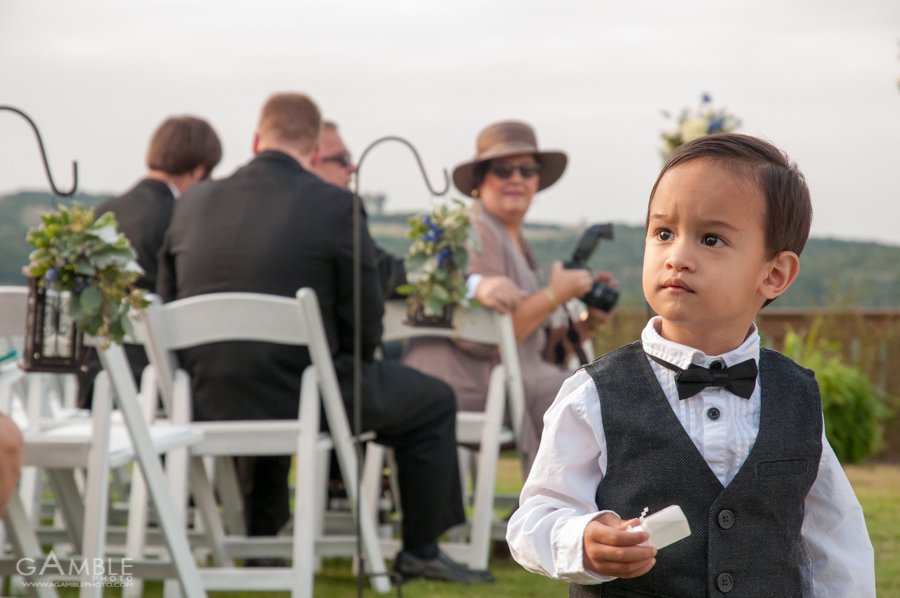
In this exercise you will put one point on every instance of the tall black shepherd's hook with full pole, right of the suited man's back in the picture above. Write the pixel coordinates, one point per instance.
(357, 331)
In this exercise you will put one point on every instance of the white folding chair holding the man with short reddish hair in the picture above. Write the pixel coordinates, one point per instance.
(254, 317)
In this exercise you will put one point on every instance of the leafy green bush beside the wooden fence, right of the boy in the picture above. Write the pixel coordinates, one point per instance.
(851, 404)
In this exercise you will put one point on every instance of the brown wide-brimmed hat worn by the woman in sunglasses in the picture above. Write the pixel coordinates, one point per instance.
(505, 139)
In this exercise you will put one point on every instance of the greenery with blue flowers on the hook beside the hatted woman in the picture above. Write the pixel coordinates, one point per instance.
(437, 260)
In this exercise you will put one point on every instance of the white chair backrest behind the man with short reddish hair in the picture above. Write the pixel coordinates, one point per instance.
(219, 317)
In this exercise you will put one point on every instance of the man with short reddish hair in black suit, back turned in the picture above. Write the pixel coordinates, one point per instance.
(273, 227)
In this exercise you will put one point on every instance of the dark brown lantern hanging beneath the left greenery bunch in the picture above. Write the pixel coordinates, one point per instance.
(52, 341)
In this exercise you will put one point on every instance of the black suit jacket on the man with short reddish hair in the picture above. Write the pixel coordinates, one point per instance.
(271, 227)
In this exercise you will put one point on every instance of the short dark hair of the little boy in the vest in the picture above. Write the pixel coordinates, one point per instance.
(788, 210)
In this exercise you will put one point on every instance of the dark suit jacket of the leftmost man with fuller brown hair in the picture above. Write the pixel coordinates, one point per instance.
(143, 214)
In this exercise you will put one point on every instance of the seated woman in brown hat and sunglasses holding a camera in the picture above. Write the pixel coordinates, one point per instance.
(508, 169)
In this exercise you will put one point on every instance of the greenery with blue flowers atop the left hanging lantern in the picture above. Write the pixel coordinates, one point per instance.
(95, 263)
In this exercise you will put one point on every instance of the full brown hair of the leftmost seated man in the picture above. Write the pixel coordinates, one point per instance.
(181, 144)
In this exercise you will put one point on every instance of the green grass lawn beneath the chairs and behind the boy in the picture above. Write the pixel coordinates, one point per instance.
(877, 486)
